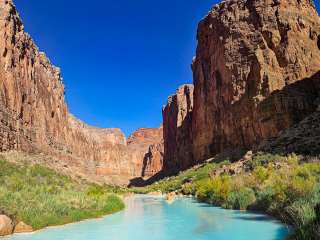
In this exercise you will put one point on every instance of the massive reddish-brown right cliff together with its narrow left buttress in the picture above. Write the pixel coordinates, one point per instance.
(254, 77)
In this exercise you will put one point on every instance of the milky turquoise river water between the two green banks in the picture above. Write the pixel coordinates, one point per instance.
(147, 217)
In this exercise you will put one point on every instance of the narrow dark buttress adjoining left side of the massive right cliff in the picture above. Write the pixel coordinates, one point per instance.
(177, 120)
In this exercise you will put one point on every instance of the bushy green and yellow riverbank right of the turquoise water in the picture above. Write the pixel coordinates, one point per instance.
(286, 187)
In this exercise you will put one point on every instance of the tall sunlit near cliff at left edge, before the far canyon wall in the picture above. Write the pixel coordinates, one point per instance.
(31, 94)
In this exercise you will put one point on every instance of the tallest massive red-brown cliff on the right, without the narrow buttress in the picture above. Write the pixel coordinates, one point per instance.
(249, 52)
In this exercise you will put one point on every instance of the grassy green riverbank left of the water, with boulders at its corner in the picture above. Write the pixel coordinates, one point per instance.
(35, 197)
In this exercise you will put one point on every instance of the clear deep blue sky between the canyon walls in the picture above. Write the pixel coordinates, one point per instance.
(120, 59)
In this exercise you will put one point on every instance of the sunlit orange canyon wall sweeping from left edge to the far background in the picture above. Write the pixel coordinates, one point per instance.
(34, 116)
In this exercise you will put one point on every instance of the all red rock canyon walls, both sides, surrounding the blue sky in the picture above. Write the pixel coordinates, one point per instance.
(255, 86)
